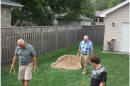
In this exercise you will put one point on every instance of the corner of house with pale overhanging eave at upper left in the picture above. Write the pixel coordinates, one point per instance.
(6, 7)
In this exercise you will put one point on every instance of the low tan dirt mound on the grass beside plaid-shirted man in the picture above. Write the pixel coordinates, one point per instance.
(67, 62)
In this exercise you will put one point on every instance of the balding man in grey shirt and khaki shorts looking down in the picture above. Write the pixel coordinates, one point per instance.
(26, 56)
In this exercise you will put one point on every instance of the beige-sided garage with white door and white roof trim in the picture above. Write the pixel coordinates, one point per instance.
(117, 23)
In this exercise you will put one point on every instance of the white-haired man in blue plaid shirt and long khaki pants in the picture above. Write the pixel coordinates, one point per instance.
(85, 48)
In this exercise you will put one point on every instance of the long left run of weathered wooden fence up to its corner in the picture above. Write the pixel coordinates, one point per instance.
(43, 39)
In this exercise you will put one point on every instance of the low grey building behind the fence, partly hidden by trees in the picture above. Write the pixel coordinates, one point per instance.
(60, 20)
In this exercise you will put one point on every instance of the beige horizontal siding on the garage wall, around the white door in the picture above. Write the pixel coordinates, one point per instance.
(118, 16)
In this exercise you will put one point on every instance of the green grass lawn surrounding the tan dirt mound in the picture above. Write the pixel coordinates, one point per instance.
(117, 66)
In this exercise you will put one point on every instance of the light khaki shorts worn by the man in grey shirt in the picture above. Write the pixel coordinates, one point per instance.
(25, 72)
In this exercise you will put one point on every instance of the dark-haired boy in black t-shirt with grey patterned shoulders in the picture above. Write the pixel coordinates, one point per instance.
(99, 74)
